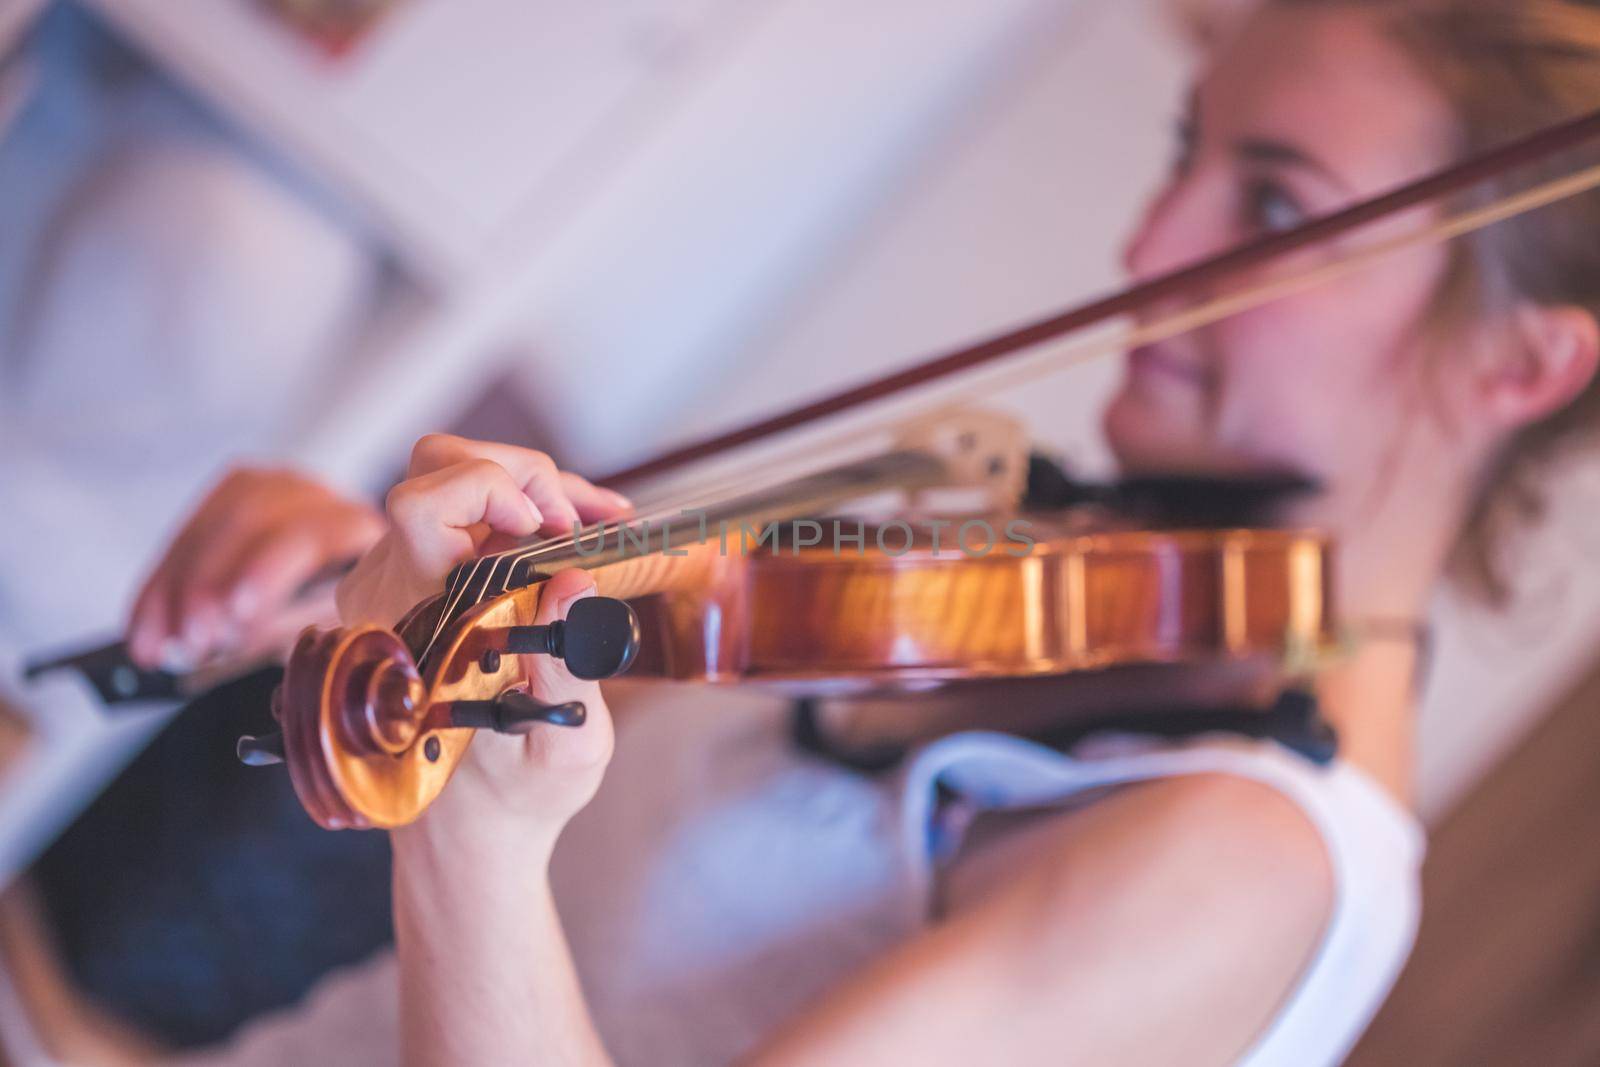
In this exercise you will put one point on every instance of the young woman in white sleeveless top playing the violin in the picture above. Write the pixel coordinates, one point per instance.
(727, 898)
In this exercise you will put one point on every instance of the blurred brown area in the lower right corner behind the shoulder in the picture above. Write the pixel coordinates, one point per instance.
(1508, 961)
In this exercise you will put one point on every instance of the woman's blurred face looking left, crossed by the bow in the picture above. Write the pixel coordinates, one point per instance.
(1303, 114)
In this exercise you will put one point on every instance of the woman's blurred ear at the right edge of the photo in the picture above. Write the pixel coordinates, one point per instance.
(1559, 353)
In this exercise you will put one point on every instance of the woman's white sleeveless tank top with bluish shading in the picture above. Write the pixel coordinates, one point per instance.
(722, 881)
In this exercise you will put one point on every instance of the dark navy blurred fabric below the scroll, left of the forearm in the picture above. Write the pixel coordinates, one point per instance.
(196, 893)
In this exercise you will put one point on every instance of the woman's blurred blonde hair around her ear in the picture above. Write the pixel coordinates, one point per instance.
(1510, 68)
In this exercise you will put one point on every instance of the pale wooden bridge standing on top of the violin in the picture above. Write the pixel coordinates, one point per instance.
(982, 450)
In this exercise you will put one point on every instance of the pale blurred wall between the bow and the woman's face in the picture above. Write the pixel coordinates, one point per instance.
(1023, 215)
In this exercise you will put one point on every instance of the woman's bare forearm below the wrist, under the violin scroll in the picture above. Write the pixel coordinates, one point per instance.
(486, 975)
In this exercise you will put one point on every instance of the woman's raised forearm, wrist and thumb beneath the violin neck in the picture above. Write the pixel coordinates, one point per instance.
(486, 975)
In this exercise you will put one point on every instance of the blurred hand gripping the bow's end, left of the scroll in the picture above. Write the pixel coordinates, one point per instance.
(233, 581)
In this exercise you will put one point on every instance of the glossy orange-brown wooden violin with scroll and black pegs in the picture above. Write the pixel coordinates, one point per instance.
(375, 721)
